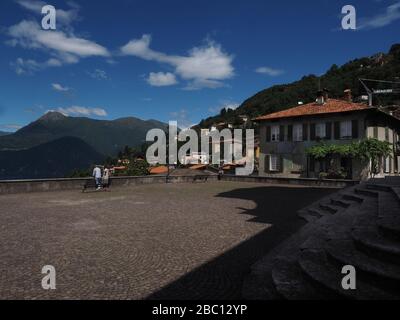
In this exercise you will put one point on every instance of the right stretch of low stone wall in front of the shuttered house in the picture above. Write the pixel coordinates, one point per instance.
(294, 181)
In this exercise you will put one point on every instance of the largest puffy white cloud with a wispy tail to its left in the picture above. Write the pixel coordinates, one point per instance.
(204, 66)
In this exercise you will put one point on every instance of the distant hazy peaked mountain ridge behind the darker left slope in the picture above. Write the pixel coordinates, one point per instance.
(106, 137)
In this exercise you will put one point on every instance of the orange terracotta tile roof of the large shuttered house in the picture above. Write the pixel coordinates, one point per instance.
(331, 106)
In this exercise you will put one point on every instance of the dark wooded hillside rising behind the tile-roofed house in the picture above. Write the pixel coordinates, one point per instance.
(380, 66)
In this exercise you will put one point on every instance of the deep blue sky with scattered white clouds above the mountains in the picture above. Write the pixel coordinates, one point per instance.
(172, 60)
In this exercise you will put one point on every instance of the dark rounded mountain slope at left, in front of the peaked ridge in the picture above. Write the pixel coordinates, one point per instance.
(54, 159)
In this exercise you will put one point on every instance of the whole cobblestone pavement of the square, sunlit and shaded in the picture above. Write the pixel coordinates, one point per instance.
(184, 241)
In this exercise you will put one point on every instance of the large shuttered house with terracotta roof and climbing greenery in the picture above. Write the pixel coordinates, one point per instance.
(286, 135)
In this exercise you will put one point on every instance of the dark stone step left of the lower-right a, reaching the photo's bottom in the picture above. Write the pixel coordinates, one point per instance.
(291, 284)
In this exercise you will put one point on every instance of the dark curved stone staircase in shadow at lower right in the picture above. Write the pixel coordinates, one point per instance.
(358, 226)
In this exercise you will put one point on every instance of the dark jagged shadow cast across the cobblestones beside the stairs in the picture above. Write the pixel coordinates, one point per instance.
(222, 278)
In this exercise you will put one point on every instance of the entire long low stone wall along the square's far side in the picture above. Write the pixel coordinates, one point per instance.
(42, 185)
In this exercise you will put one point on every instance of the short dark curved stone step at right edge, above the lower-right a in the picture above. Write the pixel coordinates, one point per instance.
(370, 241)
